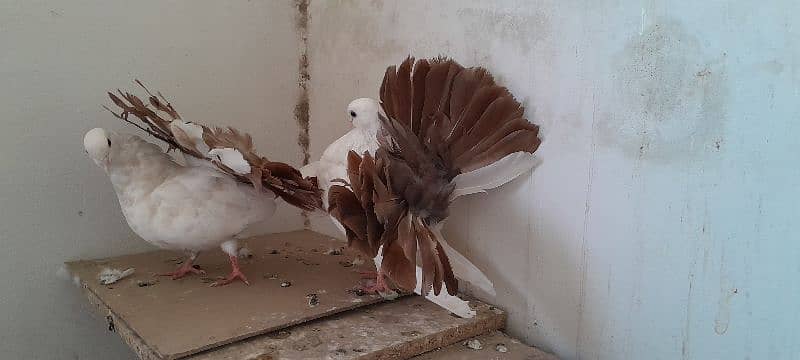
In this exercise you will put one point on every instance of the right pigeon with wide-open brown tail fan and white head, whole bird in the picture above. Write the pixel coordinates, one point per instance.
(440, 131)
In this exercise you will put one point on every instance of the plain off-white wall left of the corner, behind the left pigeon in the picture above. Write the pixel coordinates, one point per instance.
(221, 62)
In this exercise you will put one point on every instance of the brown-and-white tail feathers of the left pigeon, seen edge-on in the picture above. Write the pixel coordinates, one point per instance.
(230, 150)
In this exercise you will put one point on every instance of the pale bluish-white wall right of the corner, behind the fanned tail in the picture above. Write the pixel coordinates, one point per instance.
(660, 224)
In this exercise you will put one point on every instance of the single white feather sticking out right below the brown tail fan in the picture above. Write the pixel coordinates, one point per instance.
(493, 175)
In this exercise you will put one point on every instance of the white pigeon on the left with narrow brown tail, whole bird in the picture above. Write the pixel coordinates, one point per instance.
(222, 192)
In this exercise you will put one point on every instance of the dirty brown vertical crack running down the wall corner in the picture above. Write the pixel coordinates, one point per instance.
(301, 109)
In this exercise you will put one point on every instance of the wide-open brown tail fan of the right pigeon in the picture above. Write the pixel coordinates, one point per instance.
(442, 120)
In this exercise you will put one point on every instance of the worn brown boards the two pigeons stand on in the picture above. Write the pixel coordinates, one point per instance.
(185, 319)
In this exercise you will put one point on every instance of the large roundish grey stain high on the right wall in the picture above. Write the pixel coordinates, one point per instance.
(669, 99)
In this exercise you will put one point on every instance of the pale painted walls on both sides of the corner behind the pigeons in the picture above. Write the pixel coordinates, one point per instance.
(659, 225)
